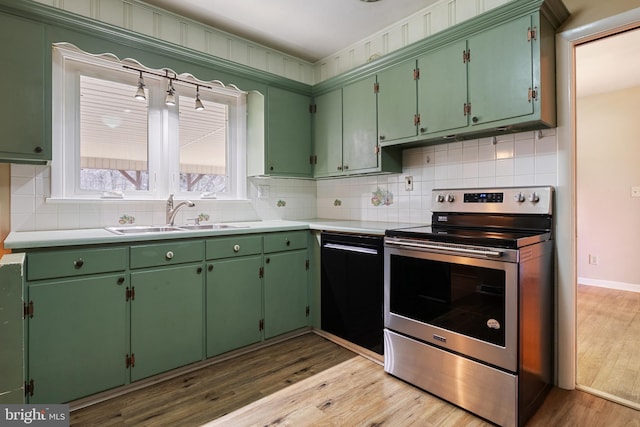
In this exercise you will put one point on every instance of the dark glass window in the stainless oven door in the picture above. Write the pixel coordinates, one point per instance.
(461, 298)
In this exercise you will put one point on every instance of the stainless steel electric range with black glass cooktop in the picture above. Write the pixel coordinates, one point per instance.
(468, 301)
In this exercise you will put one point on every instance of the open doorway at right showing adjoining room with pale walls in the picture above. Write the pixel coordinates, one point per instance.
(608, 206)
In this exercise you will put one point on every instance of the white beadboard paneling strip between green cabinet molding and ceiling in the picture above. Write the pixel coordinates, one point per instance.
(155, 22)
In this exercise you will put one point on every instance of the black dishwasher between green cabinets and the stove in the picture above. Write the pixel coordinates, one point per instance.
(352, 288)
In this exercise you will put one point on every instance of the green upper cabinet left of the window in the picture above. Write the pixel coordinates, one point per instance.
(26, 131)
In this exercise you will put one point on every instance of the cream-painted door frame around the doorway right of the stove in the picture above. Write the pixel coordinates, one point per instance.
(566, 209)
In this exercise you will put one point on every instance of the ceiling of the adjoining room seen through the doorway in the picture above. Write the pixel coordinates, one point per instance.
(608, 64)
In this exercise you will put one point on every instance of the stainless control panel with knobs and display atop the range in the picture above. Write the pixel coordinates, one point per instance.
(523, 200)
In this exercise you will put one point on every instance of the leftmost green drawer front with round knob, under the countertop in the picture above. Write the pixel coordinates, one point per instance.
(76, 262)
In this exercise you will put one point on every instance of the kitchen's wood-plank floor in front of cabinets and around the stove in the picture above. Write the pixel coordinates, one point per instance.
(310, 381)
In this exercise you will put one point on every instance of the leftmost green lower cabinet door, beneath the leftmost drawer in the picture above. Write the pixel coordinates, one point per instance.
(77, 340)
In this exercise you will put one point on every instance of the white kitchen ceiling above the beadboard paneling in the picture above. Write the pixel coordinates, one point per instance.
(309, 30)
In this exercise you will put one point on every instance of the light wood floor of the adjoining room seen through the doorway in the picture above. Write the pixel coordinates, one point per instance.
(608, 344)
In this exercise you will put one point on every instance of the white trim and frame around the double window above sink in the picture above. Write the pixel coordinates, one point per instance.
(163, 180)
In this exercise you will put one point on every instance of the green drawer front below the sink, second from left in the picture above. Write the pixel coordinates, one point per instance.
(166, 254)
